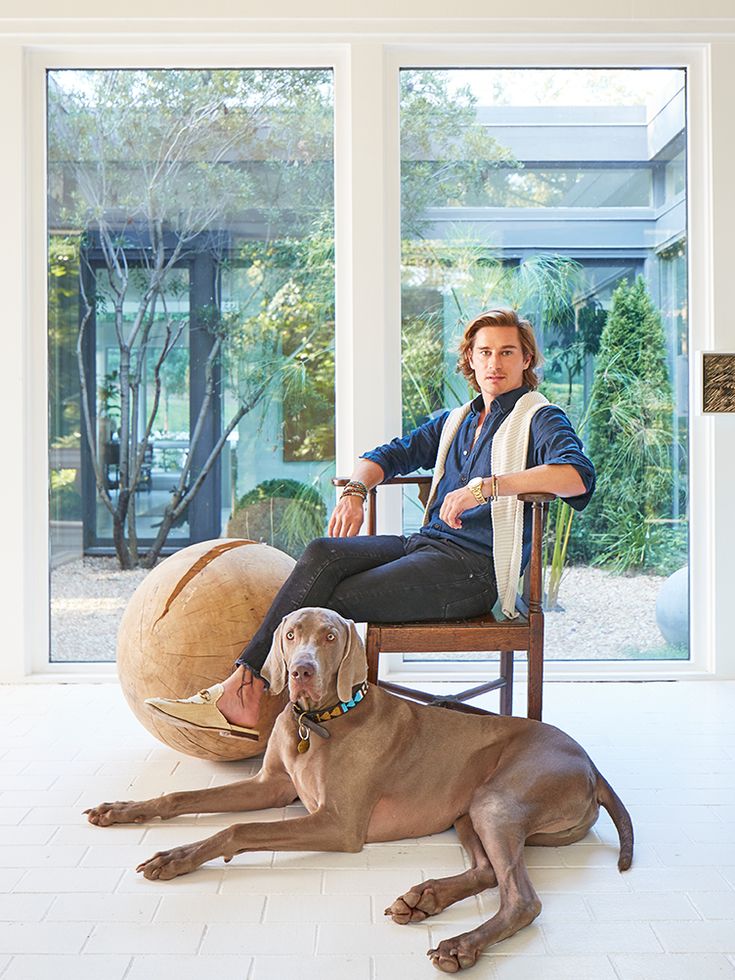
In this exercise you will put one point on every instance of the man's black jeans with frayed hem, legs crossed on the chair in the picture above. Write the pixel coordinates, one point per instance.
(384, 578)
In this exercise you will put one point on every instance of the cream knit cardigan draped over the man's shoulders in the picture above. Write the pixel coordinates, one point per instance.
(508, 455)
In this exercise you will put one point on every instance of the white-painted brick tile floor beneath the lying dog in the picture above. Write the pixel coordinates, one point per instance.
(72, 907)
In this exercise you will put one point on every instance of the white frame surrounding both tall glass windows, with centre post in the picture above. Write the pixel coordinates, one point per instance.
(367, 225)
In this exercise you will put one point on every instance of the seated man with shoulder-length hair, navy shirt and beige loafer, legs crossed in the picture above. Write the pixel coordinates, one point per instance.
(475, 538)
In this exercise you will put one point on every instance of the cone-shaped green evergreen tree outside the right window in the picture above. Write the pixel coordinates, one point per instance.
(630, 435)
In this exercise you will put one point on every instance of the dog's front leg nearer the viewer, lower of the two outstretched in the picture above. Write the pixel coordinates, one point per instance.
(319, 831)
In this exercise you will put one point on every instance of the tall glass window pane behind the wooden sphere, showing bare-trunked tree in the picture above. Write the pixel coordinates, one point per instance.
(191, 324)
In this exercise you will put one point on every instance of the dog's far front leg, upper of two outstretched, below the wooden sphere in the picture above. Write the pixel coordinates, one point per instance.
(268, 788)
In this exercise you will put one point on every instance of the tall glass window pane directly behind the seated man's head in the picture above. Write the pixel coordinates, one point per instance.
(561, 193)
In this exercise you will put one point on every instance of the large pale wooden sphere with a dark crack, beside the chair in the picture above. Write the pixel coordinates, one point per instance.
(184, 627)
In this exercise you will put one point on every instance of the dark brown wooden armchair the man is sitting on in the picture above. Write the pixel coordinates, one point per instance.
(482, 634)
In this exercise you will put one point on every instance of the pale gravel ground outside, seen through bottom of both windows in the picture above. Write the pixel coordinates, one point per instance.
(604, 616)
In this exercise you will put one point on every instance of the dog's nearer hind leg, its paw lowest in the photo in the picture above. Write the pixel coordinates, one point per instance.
(500, 826)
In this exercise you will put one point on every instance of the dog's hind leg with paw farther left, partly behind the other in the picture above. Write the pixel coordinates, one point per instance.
(434, 895)
